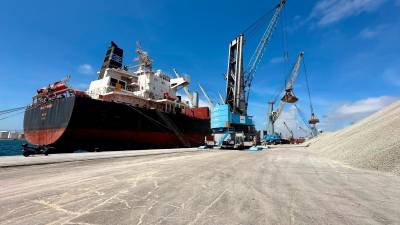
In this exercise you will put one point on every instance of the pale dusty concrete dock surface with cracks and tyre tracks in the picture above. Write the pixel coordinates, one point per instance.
(278, 186)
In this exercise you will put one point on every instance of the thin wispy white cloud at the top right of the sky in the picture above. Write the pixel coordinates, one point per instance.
(331, 11)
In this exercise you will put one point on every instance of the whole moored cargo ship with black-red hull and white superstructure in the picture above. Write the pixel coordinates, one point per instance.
(127, 107)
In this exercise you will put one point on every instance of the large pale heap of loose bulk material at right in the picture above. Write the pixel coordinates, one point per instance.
(372, 143)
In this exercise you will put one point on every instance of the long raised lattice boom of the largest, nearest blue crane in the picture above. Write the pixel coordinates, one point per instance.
(259, 52)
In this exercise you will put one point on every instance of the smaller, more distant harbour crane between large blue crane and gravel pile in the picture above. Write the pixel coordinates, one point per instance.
(288, 97)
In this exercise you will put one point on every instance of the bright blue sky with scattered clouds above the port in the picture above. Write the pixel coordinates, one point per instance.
(352, 49)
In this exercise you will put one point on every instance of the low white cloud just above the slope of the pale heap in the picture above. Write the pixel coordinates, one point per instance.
(348, 113)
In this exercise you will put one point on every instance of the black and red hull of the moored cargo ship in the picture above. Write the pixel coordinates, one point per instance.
(82, 123)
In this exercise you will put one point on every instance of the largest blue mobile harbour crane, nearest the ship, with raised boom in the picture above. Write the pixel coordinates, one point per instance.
(231, 125)
